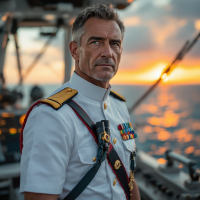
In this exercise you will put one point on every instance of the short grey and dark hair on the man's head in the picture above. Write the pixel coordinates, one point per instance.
(100, 11)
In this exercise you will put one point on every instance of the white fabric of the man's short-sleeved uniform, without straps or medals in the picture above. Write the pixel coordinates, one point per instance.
(58, 148)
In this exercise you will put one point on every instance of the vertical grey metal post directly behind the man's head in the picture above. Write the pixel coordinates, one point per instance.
(67, 56)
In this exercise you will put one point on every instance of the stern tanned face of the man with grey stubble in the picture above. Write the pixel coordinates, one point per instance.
(100, 50)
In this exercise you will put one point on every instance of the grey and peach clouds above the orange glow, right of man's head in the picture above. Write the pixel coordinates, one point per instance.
(161, 26)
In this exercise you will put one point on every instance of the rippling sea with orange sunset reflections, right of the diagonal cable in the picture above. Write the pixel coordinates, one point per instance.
(172, 121)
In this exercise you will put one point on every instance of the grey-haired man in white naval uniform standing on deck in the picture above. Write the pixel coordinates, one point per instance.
(58, 148)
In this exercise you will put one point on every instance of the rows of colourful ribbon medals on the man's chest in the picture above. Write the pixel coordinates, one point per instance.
(127, 131)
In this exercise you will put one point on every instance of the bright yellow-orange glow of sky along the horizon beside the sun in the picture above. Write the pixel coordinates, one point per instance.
(180, 75)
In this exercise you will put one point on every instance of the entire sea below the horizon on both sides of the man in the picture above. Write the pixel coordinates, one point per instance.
(169, 118)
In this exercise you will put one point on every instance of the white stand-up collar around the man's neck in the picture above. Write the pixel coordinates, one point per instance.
(88, 89)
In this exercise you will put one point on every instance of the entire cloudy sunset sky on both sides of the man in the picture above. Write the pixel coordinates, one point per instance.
(155, 32)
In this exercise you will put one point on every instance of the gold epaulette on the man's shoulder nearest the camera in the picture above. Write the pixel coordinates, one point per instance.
(59, 99)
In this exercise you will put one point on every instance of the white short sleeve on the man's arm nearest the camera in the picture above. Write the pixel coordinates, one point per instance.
(46, 151)
